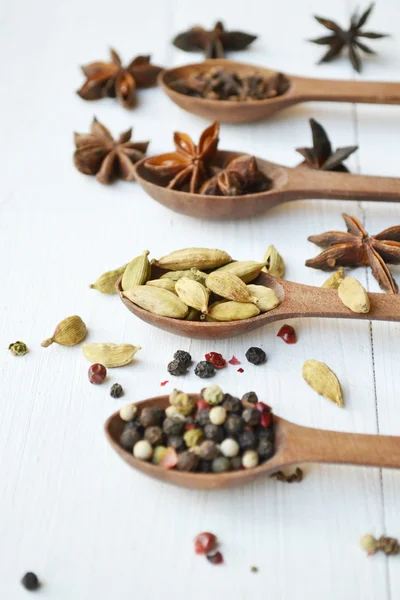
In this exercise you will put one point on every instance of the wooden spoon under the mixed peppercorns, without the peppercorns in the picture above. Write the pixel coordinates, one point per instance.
(294, 444)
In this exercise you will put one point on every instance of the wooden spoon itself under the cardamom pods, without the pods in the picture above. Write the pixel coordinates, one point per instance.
(297, 300)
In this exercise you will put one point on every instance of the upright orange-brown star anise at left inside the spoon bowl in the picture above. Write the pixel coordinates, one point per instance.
(190, 163)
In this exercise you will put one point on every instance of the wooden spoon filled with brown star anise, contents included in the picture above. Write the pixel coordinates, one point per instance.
(203, 182)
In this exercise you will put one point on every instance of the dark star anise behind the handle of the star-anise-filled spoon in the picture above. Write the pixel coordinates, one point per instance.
(320, 156)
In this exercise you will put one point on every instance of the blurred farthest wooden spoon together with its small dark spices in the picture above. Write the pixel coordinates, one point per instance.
(234, 92)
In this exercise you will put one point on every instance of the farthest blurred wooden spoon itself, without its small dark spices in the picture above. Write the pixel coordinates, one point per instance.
(301, 89)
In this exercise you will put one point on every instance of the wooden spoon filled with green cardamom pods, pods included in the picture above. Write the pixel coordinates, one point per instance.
(203, 293)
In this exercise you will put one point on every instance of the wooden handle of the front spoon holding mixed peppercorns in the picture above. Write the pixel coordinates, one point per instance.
(317, 445)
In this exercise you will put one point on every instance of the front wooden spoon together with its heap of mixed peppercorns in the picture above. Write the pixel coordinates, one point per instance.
(215, 441)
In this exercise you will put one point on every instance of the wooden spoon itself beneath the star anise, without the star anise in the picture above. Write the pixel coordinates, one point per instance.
(288, 184)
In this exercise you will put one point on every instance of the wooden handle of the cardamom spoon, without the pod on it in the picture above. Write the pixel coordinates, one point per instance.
(308, 301)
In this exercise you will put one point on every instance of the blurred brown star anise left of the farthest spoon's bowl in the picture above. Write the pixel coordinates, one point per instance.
(111, 79)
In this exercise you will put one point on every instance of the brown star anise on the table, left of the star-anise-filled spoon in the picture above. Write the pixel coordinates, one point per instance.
(98, 154)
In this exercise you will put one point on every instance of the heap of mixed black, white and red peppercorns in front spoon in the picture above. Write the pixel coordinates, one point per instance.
(213, 433)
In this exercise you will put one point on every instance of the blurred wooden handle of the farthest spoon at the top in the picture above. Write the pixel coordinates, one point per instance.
(328, 90)
